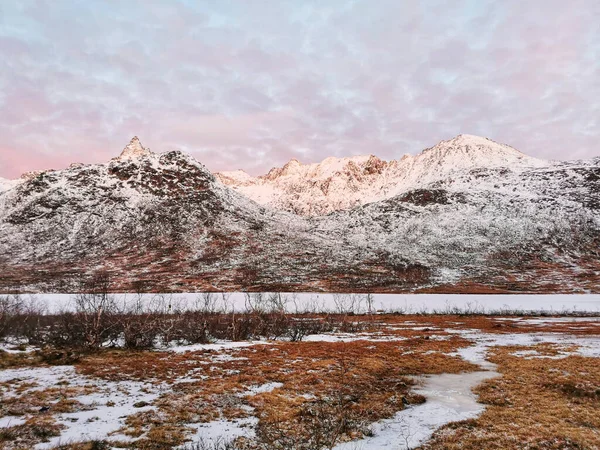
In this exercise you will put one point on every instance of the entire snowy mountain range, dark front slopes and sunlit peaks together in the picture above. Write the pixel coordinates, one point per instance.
(467, 215)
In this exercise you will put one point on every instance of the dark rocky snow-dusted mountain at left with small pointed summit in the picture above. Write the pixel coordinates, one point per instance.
(157, 222)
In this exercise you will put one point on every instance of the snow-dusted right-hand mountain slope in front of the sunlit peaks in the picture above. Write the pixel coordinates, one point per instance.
(536, 230)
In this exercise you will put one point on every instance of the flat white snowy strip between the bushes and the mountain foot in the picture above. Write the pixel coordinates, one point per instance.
(318, 302)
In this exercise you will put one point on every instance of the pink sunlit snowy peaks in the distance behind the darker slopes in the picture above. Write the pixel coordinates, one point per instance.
(342, 183)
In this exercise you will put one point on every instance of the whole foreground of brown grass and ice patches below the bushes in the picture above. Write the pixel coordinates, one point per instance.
(385, 381)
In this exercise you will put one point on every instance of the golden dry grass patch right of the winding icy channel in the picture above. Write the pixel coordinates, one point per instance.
(538, 403)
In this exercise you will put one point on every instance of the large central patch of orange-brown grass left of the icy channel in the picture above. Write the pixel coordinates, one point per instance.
(352, 384)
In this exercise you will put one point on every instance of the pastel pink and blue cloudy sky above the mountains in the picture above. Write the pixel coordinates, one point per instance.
(250, 84)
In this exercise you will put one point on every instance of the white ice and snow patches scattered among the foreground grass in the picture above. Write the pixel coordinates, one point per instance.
(449, 396)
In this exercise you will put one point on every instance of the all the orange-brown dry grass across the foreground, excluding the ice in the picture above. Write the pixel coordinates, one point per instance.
(329, 392)
